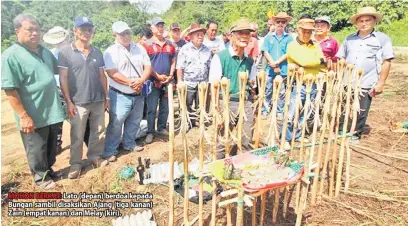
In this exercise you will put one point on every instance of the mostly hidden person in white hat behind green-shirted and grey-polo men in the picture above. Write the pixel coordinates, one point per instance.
(58, 37)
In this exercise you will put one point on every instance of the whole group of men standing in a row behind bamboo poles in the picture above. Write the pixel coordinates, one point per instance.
(139, 73)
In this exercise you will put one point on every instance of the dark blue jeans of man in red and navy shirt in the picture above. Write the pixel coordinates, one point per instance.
(157, 97)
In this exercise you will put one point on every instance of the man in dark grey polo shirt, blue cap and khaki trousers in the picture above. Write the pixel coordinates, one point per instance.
(84, 86)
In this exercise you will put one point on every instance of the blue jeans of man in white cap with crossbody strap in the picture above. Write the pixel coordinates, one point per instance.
(125, 112)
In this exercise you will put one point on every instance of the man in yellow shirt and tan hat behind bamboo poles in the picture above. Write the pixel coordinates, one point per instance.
(304, 53)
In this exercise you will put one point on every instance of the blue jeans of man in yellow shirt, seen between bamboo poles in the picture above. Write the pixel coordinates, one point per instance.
(290, 129)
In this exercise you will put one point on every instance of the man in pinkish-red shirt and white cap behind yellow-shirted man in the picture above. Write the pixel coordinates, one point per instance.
(328, 44)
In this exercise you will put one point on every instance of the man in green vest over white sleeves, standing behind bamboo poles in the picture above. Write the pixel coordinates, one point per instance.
(228, 63)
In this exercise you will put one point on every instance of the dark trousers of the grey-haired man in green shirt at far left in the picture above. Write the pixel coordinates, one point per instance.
(41, 148)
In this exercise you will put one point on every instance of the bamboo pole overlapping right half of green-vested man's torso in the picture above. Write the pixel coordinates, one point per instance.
(243, 78)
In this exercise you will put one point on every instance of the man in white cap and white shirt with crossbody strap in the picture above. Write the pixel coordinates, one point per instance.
(128, 67)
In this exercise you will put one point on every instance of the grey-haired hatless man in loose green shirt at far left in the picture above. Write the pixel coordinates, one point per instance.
(28, 80)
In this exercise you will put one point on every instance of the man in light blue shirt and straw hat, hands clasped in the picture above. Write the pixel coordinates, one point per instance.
(274, 47)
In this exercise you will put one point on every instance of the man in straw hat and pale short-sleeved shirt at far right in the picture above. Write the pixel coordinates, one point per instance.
(371, 51)
